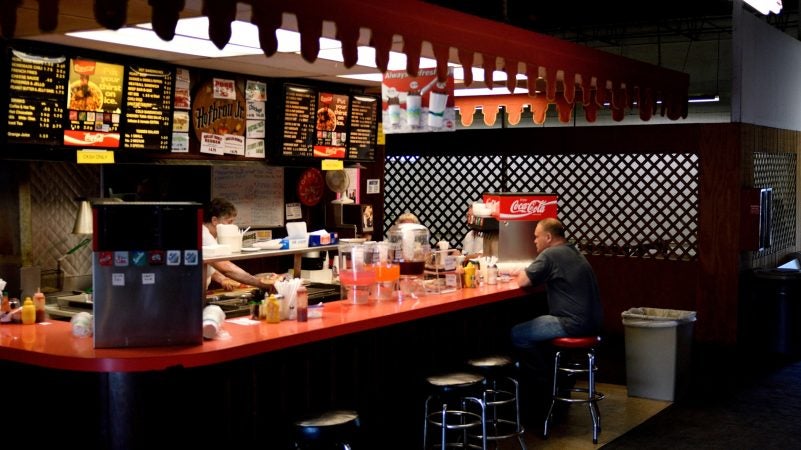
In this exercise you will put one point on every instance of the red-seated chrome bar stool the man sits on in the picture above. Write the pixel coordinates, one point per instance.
(573, 365)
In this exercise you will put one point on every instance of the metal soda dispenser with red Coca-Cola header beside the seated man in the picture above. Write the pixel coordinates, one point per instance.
(517, 214)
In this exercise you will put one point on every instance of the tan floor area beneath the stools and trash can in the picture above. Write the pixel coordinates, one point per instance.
(619, 413)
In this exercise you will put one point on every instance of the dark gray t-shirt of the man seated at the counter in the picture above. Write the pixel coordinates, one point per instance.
(571, 286)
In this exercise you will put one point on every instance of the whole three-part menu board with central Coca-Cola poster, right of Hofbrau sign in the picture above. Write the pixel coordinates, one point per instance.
(323, 124)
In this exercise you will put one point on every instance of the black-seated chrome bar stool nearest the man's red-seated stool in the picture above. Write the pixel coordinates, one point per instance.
(502, 397)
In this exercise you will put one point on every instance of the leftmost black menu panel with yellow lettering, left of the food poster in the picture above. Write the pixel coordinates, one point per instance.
(36, 99)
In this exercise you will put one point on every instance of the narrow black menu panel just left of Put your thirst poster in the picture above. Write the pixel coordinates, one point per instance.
(299, 122)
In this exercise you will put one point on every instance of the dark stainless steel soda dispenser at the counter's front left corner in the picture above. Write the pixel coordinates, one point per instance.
(147, 271)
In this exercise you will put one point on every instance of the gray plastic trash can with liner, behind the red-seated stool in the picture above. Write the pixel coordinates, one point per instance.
(658, 343)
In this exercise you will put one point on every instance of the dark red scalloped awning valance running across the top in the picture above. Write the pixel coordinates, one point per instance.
(567, 72)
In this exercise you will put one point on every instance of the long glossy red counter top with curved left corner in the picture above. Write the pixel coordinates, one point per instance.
(52, 345)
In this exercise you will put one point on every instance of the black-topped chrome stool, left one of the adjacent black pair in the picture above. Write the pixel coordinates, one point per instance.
(456, 407)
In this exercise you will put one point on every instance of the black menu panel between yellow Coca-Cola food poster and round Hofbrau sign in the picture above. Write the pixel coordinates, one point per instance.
(148, 110)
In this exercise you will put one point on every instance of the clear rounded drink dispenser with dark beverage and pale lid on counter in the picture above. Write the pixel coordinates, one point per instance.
(414, 246)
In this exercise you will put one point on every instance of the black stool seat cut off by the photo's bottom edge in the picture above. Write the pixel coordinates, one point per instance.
(336, 429)
